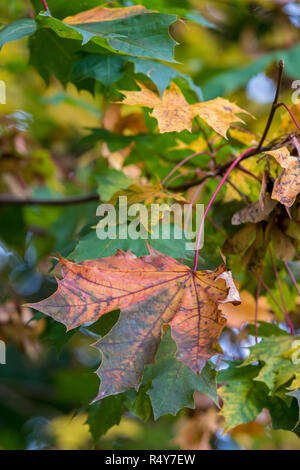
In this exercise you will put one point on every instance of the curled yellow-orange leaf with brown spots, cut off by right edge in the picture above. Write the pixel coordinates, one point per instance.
(287, 185)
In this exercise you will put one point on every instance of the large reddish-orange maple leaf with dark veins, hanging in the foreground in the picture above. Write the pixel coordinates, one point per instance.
(150, 291)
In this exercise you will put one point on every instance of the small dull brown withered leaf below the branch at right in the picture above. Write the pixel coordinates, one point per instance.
(254, 212)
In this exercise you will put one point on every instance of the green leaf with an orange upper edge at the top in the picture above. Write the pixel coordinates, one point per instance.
(132, 30)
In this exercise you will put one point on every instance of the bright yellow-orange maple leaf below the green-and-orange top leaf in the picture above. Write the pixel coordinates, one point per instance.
(174, 113)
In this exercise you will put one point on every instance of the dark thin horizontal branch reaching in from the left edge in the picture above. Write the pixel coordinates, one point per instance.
(12, 200)
